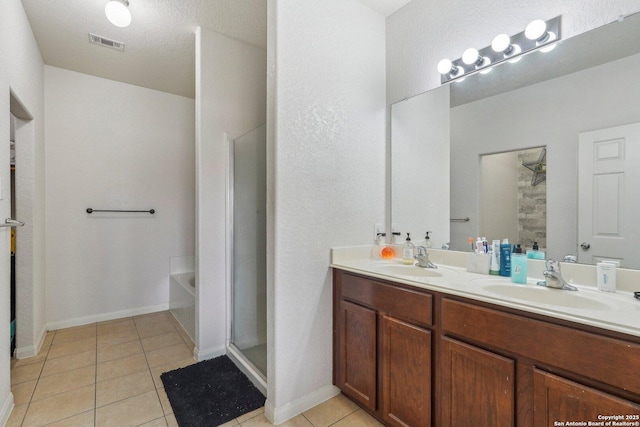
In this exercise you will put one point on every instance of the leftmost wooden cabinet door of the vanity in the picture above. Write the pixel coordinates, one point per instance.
(356, 359)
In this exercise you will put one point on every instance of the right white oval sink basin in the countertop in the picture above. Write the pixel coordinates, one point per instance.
(543, 295)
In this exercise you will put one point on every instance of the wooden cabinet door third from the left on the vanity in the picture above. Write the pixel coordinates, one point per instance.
(478, 387)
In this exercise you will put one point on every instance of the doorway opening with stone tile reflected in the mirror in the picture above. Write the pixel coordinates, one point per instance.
(513, 192)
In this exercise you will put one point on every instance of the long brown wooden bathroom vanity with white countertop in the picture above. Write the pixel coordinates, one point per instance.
(416, 350)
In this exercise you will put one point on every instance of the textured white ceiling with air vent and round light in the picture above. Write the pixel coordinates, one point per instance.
(160, 42)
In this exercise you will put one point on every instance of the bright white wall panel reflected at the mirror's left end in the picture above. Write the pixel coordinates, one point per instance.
(420, 161)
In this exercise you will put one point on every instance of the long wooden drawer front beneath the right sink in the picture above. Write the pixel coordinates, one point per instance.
(611, 361)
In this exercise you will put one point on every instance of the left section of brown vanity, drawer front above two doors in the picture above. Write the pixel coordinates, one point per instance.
(382, 348)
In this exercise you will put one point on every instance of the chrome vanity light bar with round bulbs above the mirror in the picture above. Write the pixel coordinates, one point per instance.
(539, 34)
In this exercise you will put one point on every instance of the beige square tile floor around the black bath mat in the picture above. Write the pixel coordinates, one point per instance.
(108, 374)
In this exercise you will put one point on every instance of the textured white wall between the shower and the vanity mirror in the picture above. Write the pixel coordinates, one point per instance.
(326, 178)
